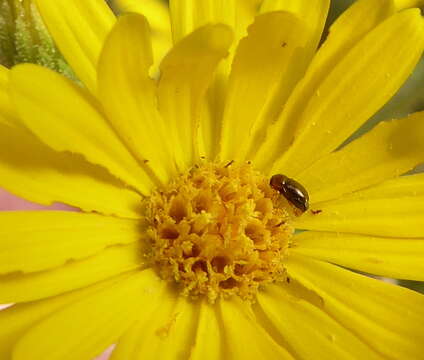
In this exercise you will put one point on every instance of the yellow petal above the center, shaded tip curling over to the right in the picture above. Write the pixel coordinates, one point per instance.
(186, 73)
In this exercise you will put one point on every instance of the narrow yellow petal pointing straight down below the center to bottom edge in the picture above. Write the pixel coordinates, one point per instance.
(208, 340)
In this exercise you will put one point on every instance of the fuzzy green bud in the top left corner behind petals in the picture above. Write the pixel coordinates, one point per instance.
(24, 38)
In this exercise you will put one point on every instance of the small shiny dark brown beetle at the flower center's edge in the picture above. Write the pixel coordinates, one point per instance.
(291, 190)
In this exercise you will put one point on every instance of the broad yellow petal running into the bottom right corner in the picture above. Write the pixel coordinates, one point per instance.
(388, 318)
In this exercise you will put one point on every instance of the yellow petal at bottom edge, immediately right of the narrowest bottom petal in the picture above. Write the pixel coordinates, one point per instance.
(246, 339)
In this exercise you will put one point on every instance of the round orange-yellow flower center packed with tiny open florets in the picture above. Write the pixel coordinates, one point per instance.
(220, 230)
